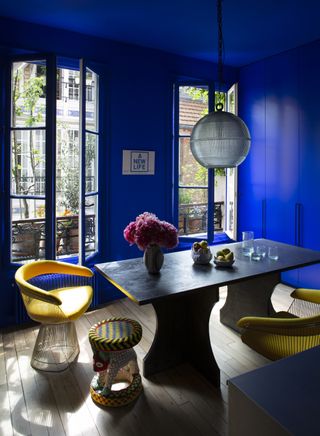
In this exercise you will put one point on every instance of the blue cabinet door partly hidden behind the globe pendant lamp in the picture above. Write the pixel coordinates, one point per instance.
(251, 174)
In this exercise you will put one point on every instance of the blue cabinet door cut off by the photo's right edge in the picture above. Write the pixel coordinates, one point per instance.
(309, 68)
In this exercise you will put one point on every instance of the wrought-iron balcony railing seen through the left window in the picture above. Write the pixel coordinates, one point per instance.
(28, 237)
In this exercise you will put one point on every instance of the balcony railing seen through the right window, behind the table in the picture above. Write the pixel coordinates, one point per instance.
(193, 218)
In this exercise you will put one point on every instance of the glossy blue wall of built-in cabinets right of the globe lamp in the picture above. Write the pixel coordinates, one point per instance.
(278, 182)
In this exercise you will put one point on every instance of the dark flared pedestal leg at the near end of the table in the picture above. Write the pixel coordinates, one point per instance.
(182, 334)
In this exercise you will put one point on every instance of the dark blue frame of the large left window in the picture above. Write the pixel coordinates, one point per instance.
(50, 159)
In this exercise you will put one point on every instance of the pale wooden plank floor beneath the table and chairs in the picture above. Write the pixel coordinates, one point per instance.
(176, 402)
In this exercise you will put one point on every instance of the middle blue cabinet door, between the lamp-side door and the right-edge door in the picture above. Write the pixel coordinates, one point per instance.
(282, 151)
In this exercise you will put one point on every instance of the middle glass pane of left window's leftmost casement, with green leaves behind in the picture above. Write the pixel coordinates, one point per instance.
(28, 162)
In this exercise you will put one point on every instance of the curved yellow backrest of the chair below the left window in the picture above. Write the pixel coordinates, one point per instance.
(31, 270)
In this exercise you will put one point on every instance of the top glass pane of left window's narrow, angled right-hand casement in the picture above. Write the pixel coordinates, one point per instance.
(92, 86)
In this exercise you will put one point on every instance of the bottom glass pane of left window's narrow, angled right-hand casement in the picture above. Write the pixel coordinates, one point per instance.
(91, 229)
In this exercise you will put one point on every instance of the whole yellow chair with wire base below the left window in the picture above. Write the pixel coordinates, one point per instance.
(55, 294)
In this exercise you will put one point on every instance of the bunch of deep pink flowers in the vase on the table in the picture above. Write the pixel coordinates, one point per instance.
(148, 230)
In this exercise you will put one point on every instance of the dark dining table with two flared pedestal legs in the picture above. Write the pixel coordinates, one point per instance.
(183, 294)
